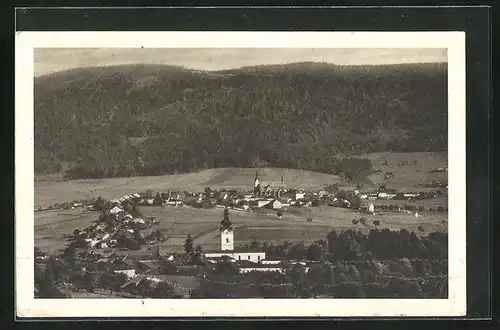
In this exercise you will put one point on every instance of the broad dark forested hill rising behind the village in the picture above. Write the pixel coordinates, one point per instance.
(150, 119)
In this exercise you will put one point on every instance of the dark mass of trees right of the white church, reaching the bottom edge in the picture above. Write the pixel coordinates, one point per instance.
(382, 264)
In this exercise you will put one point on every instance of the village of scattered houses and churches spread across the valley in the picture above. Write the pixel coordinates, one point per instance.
(110, 245)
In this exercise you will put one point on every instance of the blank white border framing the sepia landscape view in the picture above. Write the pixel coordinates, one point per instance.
(27, 306)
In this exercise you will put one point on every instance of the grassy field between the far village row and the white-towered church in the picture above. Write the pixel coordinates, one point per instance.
(202, 224)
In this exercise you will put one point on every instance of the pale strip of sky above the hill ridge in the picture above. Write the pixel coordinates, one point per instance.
(49, 60)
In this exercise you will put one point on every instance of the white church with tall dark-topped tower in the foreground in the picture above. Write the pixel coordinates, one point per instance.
(227, 245)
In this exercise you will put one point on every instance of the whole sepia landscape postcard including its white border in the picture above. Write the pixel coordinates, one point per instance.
(213, 170)
